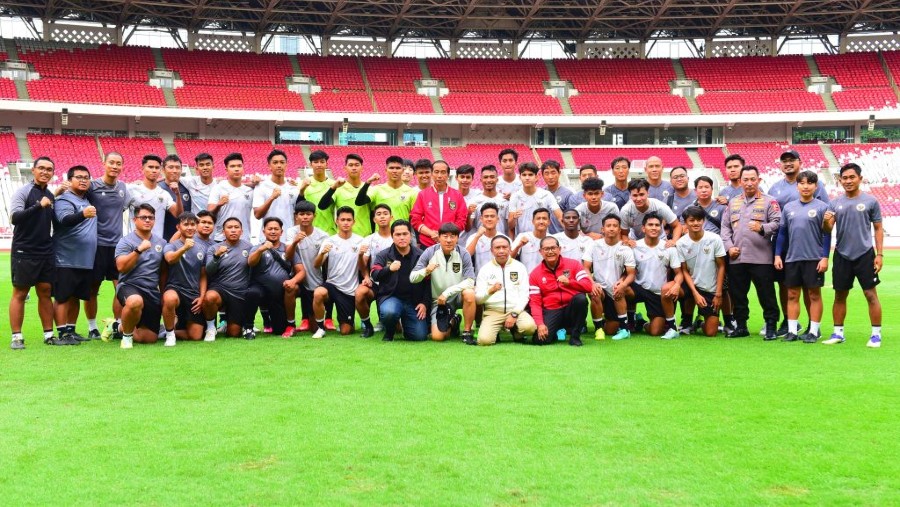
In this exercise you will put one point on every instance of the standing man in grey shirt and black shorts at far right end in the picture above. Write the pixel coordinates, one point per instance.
(856, 214)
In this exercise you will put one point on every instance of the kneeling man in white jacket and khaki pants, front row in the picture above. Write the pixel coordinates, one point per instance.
(502, 287)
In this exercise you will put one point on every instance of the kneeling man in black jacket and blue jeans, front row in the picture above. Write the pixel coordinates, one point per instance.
(398, 298)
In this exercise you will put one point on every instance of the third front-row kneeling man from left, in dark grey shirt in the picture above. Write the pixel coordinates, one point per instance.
(229, 276)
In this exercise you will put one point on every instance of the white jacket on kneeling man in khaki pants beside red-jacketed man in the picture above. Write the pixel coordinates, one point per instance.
(513, 297)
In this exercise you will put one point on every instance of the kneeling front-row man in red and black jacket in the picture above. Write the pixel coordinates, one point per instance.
(558, 303)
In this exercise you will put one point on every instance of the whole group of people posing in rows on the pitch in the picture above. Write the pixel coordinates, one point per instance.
(513, 257)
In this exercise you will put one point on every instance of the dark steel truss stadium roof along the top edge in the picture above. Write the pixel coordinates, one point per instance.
(571, 20)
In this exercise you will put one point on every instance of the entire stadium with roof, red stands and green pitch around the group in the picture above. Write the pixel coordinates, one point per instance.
(348, 421)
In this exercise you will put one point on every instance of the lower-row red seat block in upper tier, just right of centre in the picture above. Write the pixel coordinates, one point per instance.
(500, 103)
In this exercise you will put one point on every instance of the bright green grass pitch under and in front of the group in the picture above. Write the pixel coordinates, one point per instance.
(347, 421)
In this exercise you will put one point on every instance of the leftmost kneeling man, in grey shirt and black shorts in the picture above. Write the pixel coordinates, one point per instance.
(138, 257)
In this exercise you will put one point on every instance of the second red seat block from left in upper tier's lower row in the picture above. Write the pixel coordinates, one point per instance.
(230, 97)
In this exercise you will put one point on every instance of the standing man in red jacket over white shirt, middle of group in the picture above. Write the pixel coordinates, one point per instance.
(436, 205)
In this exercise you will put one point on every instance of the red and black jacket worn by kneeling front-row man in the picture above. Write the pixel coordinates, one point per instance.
(548, 294)
